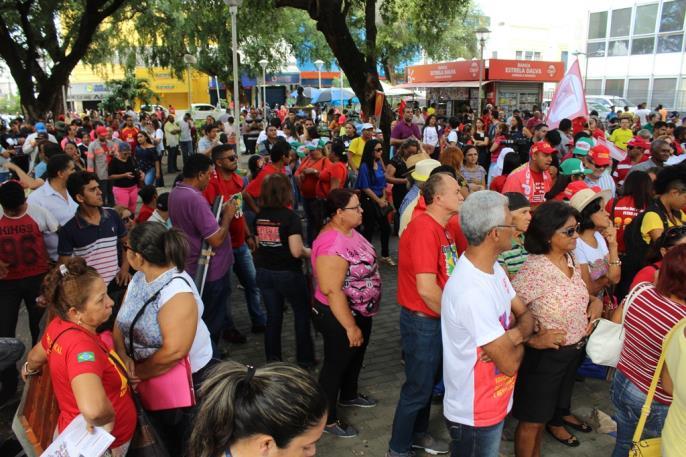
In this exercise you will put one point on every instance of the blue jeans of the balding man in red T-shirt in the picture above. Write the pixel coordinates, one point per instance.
(422, 346)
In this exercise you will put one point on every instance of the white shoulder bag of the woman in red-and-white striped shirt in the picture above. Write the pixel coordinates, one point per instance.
(605, 343)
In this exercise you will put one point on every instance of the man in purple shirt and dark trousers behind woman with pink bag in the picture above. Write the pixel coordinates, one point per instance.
(190, 213)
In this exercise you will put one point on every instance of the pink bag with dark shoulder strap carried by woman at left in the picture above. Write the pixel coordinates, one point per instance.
(172, 389)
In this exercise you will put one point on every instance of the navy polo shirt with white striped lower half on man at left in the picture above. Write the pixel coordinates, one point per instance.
(97, 244)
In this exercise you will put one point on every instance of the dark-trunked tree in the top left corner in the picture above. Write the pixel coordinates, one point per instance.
(41, 41)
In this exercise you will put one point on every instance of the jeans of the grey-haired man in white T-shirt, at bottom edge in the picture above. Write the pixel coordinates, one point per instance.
(468, 441)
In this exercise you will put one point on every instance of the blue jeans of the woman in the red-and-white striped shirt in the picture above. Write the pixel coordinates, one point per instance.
(628, 401)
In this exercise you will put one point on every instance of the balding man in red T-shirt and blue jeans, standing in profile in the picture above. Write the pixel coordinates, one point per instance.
(427, 256)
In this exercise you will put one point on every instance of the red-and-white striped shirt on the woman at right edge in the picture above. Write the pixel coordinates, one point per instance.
(649, 318)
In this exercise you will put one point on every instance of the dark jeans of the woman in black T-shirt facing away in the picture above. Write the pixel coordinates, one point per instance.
(277, 287)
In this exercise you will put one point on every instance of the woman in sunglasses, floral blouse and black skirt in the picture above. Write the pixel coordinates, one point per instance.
(551, 285)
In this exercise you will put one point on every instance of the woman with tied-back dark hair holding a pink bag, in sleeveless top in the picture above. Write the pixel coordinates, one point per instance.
(159, 332)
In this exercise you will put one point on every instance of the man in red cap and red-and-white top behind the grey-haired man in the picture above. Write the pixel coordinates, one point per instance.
(533, 179)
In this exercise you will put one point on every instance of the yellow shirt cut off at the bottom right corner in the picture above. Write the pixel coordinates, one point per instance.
(674, 431)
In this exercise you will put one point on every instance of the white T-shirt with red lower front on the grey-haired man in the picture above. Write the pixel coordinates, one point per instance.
(475, 310)
